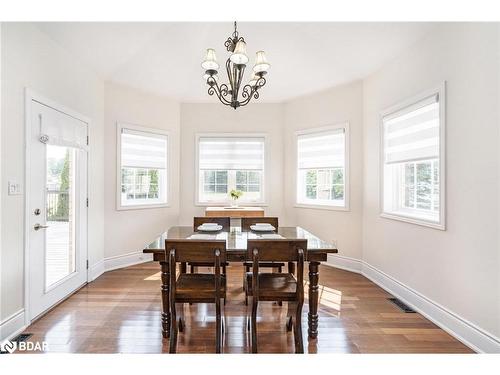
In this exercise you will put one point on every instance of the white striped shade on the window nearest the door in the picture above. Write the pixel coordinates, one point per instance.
(141, 149)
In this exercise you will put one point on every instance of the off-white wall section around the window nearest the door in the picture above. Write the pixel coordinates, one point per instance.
(127, 231)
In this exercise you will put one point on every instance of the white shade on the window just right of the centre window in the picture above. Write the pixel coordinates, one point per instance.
(322, 149)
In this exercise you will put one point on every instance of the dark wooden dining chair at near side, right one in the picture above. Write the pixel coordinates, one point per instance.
(277, 286)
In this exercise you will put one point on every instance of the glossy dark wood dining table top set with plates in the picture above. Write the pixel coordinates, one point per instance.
(236, 241)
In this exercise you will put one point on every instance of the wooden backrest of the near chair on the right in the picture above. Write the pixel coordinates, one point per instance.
(279, 250)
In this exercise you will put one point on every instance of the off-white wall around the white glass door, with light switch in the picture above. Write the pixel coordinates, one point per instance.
(30, 59)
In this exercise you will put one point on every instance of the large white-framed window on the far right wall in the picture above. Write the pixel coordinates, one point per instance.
(413, 160)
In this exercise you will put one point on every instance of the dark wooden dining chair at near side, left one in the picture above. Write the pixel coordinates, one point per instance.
(196, 287)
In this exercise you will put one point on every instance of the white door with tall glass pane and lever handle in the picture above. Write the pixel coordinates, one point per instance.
(56, 206)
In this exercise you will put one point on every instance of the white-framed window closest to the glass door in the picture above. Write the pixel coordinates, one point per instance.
(142, 158)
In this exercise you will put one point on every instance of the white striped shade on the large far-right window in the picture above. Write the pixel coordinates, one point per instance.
(412, 134)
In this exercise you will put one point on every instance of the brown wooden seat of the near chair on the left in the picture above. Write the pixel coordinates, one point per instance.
(197, 286)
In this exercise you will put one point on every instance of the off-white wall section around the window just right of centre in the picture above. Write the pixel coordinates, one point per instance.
(337, 105)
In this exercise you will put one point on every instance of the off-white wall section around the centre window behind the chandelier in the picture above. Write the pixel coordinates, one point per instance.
(256, 118)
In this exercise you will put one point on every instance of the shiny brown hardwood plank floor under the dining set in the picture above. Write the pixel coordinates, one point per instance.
(120, 313)
